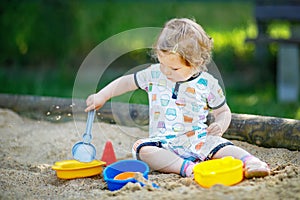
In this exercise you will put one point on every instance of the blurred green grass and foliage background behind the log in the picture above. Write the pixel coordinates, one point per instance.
(43, 44)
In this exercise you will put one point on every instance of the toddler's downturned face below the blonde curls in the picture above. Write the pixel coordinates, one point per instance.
(174, 67)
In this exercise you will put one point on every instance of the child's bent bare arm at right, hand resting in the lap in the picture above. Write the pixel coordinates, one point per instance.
(222, 117)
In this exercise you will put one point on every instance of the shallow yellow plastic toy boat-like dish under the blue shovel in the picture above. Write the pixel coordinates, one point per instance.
(70, 169)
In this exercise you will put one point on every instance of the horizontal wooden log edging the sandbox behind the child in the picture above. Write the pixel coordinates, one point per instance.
(271, 132)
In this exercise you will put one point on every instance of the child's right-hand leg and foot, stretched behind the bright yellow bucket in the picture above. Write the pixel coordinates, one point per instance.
(253, 167)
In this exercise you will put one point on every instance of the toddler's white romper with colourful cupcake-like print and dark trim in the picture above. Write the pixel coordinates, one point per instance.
(178, 112)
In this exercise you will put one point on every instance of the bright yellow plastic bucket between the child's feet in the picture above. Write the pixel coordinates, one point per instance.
(226, 171)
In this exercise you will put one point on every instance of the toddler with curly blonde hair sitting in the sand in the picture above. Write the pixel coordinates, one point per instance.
(181, 94)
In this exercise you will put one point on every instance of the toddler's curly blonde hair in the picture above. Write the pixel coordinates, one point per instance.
(188, 39)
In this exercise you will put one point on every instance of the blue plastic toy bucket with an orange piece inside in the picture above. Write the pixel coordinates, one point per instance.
(111, 171)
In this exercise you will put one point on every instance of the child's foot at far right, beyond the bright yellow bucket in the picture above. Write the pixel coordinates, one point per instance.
(253, 167)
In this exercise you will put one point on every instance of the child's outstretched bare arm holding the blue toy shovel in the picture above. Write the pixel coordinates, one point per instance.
(117, 87)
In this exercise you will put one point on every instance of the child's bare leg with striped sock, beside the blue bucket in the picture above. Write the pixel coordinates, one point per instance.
(165, 161)
